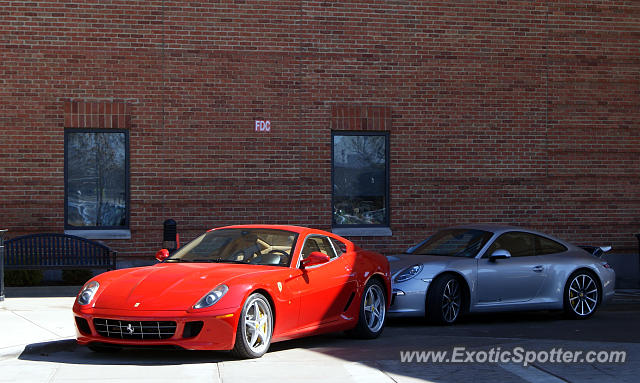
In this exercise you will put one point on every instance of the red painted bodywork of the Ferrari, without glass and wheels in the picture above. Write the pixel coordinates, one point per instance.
(318, 299)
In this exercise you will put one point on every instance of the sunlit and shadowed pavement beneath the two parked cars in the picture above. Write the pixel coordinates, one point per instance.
(37, 345)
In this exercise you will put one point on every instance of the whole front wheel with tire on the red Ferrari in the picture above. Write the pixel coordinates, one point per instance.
(255, 328)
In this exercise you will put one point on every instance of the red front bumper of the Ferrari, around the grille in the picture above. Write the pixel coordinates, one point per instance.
(217, 332)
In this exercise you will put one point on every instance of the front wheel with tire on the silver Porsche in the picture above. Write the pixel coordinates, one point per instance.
(446, 300)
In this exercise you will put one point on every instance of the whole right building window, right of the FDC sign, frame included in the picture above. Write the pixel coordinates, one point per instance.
(360, 174)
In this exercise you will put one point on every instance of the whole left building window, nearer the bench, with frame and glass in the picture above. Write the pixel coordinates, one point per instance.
(96, 179)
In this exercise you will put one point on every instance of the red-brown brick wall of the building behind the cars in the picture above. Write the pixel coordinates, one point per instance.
(515, 112)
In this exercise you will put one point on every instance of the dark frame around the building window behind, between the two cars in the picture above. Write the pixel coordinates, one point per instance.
(387, 155)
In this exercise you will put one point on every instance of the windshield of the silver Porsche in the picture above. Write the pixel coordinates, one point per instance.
(454, 243)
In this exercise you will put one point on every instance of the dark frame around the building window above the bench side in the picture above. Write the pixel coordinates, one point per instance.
(127, 185)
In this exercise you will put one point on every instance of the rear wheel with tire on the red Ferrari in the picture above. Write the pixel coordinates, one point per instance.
(373, 312)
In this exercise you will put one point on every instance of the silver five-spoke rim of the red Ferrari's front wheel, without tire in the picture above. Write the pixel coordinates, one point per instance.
(257, 325)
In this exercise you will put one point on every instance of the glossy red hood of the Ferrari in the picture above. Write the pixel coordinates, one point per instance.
(167, 286)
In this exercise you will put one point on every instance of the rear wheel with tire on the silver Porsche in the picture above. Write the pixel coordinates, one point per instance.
(582, 295)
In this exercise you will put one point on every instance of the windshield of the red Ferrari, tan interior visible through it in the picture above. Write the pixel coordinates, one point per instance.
(251, 246)
